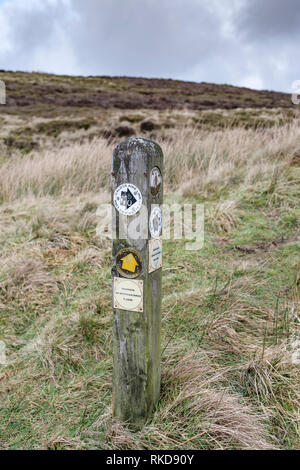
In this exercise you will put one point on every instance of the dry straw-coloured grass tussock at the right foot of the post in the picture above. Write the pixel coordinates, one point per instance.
(192, 394)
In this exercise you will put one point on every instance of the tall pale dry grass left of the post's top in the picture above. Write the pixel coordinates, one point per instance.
(77, 169)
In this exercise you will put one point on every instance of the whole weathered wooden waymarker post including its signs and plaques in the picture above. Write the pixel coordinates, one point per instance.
(137, 194)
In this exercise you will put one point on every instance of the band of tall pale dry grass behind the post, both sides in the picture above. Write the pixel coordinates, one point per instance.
(195, 162)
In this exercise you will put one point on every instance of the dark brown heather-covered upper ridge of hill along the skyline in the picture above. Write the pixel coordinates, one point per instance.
(36, 89)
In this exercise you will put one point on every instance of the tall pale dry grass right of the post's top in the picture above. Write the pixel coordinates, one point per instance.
(214, 161)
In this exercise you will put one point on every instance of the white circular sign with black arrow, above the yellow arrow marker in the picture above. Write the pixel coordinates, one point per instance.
(128, 199)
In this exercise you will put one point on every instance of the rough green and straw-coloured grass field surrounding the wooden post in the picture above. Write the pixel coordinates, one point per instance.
(231, 312)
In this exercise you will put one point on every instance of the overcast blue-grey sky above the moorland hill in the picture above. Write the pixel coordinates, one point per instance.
(254, 43)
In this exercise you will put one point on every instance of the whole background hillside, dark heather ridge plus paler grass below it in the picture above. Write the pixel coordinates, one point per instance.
(51, 111)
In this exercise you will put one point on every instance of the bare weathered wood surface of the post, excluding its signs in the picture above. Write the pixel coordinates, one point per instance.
(136, 375)
